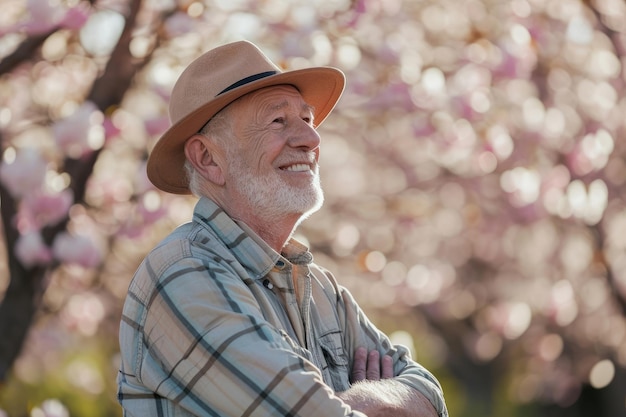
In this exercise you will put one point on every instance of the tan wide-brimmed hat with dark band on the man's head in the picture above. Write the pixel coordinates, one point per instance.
(216, 79)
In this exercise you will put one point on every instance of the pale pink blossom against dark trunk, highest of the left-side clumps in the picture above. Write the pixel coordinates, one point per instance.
(72, 133)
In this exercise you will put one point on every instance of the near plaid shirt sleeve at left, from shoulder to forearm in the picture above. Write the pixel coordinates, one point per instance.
(204, 345)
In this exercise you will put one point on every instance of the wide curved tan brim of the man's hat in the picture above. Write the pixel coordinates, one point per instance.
(320, 87)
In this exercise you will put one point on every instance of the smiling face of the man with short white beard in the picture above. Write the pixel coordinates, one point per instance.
(272, 159)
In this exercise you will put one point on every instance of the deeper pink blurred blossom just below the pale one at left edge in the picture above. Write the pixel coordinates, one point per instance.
(47, 208)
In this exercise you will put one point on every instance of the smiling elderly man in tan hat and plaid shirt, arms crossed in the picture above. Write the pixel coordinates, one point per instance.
(229, 316)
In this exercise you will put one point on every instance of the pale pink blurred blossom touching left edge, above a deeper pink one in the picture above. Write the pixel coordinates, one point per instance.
(25, 174)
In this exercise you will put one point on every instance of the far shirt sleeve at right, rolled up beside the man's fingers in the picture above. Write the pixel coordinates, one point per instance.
(361, 332)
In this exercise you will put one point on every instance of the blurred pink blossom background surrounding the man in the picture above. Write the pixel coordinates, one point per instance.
(474, 174)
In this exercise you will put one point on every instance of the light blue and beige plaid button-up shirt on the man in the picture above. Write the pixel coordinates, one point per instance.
(216, 323)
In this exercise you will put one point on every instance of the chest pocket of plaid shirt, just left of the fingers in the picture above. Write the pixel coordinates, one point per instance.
(336, 366)
